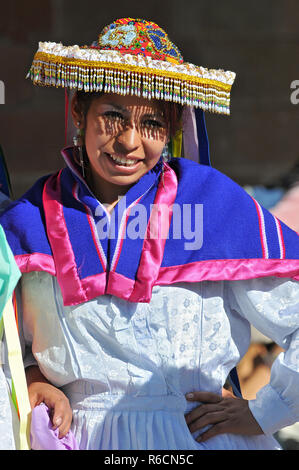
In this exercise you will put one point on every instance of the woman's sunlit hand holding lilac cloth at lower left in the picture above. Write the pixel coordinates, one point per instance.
(41, 391)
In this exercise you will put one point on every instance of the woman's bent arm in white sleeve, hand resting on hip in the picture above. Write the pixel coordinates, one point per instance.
(272, 305)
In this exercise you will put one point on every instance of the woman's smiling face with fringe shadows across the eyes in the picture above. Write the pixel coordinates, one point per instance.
(124, 139)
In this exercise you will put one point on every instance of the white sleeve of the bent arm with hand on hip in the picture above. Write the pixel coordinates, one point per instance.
(272, 306)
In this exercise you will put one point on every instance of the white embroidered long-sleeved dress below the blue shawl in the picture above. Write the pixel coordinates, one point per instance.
(126, 367)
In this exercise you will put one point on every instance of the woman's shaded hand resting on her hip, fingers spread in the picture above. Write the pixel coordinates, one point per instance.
(225, 414)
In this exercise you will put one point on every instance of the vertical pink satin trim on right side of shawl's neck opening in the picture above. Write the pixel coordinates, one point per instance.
(153, 248)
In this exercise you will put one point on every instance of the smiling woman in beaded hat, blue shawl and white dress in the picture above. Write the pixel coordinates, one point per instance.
(129, 302)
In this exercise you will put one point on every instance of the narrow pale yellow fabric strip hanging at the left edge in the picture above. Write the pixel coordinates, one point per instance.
(17, 373)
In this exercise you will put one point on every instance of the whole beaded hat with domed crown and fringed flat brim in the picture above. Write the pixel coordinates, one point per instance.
(133, 57)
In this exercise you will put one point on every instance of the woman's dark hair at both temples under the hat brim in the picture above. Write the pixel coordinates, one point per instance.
(172, 112)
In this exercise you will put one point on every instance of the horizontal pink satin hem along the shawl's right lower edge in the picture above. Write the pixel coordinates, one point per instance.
(216, 270)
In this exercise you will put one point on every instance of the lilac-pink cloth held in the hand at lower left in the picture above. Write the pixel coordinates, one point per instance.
(44, 437)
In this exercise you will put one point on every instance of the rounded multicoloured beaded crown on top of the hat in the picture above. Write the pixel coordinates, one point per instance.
(139, 37)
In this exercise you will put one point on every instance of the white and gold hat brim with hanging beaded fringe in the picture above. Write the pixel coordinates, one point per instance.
(114, 71)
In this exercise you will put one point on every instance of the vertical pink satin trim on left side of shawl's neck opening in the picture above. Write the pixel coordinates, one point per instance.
(67, 274)
